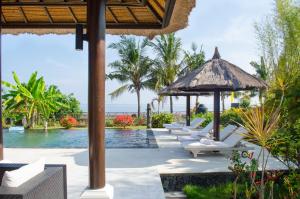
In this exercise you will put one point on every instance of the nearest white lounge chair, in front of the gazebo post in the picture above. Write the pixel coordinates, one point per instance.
(229, 144)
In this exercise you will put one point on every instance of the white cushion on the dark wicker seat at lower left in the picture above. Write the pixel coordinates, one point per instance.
(19, 176)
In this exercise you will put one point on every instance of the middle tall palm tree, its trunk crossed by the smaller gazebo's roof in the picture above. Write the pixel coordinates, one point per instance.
(166, 66)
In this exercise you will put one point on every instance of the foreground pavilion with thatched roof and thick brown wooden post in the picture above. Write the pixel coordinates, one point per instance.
(91, 20)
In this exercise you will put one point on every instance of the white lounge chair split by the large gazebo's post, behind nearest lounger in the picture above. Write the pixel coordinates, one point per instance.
(229, 129)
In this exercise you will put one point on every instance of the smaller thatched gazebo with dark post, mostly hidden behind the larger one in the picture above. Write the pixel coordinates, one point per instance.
(174, 92)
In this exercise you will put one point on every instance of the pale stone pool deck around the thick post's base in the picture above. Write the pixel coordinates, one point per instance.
(134, 173)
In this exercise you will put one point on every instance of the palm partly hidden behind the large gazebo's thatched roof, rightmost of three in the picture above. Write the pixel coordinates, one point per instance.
(193, 60)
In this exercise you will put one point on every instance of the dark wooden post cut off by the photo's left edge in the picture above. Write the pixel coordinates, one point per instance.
(1, 131)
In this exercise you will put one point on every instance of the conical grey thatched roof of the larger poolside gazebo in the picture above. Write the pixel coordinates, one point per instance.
(218, 74)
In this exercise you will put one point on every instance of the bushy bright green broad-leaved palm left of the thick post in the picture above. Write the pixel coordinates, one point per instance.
(32, 98)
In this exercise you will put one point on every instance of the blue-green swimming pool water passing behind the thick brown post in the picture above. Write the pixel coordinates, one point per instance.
(77, 138)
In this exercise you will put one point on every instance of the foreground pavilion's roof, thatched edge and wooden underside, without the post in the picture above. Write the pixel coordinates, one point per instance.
(138, 17)
